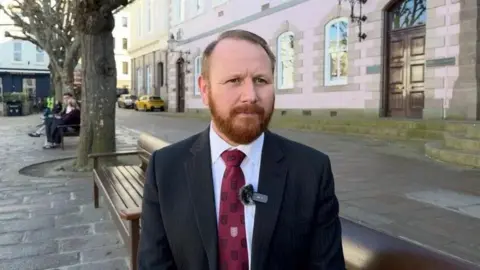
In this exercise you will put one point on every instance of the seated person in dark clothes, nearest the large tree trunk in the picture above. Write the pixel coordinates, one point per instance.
(70, 116)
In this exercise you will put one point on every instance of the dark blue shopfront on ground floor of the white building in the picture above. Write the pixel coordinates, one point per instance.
(36, 82)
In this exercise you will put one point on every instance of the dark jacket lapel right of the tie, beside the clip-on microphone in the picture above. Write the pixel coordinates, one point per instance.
(273, 174)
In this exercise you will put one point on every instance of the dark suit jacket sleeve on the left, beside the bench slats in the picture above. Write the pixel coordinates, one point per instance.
(154, 251)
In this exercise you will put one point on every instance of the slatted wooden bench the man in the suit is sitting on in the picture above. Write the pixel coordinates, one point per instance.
(364, 248)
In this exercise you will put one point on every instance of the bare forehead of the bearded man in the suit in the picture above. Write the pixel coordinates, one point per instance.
(235, 55)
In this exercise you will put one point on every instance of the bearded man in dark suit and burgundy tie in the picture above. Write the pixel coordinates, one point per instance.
(193, 219)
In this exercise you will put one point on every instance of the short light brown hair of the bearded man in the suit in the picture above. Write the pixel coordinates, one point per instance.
(237, 35)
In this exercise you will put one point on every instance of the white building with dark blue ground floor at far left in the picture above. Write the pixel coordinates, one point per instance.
(23, 66)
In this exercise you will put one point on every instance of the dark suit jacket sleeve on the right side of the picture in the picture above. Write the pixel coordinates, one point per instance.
(326, 252)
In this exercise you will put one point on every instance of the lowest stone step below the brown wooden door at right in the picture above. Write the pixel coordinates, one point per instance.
(439, 151)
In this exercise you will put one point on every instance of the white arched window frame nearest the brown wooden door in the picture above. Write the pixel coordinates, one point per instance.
(328, 80)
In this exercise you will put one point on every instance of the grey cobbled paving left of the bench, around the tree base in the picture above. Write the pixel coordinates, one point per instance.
(51, 223)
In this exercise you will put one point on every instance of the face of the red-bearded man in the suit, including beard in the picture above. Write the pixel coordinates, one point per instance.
(239, 90)
